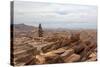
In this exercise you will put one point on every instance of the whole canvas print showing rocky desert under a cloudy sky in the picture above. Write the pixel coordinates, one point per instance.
(53, 33)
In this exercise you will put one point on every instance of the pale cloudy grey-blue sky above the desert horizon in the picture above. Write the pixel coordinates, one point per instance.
(54, 15)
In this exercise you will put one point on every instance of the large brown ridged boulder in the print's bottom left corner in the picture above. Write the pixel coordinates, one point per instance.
(23, 54)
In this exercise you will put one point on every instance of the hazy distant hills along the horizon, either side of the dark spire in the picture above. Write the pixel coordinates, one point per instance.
(28, 28)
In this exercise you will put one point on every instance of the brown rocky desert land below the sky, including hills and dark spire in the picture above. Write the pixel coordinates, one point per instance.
(36, 45)
